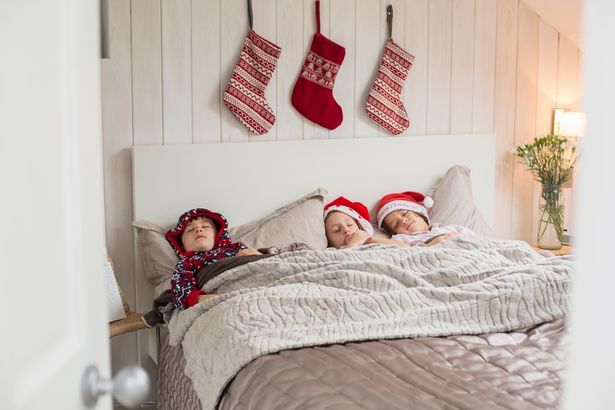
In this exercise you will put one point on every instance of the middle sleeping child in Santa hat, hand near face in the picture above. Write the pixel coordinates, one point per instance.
(347, 225)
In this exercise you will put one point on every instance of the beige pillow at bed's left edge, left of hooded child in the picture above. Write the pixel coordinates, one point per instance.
(158, 257)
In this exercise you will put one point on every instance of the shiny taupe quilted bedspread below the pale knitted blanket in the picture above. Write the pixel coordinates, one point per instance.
(511, 370)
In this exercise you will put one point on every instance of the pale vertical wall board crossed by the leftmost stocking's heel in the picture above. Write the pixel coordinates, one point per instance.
(233, 29)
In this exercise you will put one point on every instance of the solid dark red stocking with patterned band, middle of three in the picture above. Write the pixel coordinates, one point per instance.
(313, 92)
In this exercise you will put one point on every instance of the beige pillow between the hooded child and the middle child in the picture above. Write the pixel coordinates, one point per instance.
(298, 221)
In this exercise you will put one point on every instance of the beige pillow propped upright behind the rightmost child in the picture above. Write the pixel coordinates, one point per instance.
(454, 203)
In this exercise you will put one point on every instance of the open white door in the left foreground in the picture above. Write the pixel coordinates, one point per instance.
(51, 204)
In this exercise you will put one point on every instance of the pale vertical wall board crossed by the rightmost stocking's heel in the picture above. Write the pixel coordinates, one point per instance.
(367, 57)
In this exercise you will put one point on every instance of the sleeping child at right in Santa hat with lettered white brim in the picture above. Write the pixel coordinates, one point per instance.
(404, 216)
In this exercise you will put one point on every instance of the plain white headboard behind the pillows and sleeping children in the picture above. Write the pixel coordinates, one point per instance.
(245, 181)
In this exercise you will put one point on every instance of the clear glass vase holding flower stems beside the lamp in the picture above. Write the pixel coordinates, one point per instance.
(551, 222)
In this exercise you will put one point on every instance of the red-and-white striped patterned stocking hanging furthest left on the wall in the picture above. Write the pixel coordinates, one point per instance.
(245, 92)
